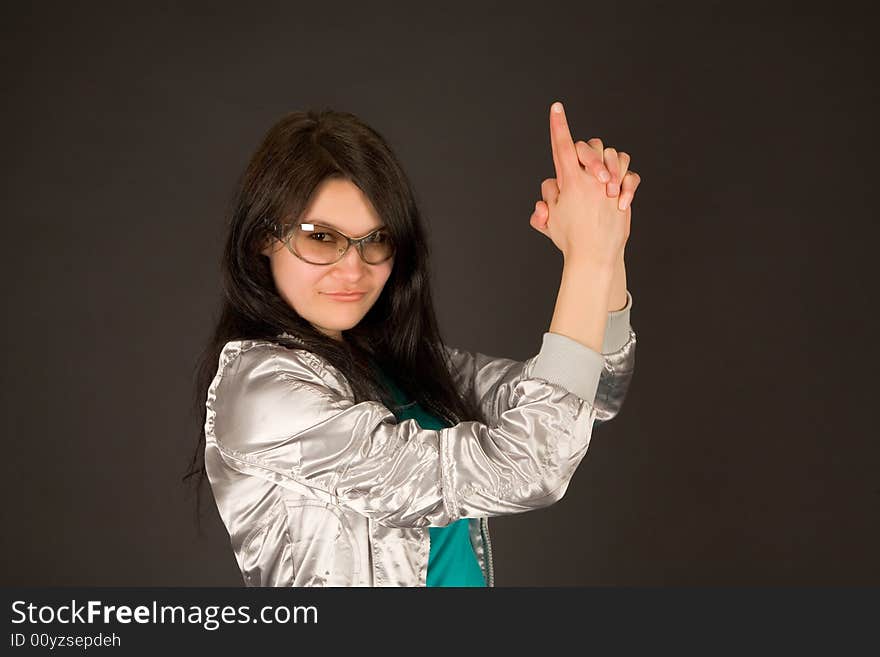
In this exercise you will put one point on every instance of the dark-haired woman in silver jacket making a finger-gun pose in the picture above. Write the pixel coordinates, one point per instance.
(345, 443)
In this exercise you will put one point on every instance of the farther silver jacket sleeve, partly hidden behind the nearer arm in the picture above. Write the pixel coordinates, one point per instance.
(489, 381)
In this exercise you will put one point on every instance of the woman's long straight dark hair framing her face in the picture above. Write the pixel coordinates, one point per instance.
(400, 330)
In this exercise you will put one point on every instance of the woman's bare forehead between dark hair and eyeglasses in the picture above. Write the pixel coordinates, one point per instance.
(341, 204)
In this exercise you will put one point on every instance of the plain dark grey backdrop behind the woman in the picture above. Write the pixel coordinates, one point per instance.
(746, 452)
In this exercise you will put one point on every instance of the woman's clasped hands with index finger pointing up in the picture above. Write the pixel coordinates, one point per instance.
(578, 212)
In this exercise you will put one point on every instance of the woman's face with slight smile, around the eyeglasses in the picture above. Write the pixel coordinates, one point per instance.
(339, 204)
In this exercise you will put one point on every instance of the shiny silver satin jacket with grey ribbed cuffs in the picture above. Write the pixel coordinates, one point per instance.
(316, 490)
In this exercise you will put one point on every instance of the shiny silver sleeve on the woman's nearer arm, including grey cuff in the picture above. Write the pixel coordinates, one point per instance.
(270, 415)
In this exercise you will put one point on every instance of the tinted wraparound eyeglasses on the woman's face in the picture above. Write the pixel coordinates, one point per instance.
(321, 245)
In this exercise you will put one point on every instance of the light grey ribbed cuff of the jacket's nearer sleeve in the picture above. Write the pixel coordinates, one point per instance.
(569, 363)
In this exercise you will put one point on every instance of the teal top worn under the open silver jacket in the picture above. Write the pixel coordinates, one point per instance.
(452, 560)
